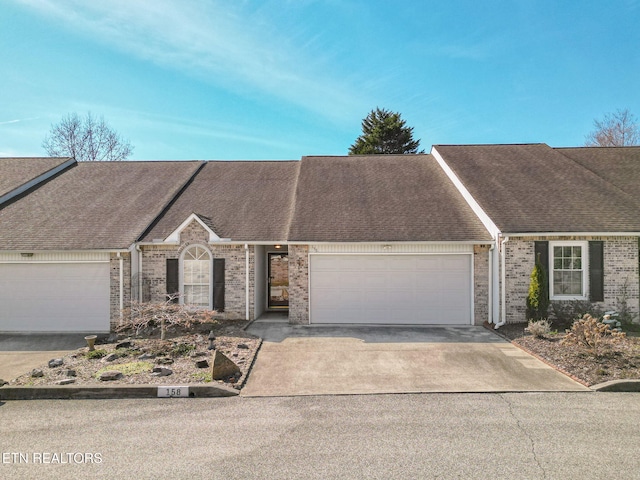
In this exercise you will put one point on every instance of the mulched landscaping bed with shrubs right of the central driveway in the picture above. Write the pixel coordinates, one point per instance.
(615, 359)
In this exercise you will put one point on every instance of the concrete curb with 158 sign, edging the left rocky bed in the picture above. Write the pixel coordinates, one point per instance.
(64, 392)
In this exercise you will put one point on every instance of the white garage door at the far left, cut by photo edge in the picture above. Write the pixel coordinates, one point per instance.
(54, 297)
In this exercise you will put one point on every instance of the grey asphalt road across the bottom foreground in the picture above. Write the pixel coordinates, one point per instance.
(470, 436)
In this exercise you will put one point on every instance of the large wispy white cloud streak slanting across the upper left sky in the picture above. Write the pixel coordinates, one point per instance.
(226, 43)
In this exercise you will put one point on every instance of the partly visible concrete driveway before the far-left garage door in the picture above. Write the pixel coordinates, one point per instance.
(21, 353)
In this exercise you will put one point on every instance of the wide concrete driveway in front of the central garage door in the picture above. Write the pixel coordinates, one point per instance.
(317, 360)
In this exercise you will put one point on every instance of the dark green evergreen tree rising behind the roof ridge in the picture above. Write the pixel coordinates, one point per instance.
(384, 131)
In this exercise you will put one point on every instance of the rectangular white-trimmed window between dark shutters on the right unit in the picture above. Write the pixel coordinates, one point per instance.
(569, 270)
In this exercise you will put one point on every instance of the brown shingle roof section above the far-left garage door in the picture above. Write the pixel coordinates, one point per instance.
(93, 205)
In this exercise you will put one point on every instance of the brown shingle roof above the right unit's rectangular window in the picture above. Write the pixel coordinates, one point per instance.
(535, 188)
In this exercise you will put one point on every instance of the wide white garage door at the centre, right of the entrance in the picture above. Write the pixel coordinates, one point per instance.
(391, 289)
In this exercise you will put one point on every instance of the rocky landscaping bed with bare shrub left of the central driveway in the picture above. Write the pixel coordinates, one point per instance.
(183, 358)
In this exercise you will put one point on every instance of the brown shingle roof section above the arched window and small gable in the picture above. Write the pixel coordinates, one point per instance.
(243, 201)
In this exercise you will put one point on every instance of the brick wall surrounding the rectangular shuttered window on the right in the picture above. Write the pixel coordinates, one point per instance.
(620, 272)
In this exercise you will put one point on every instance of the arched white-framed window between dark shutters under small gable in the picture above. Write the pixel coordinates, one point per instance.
(196, 277)
